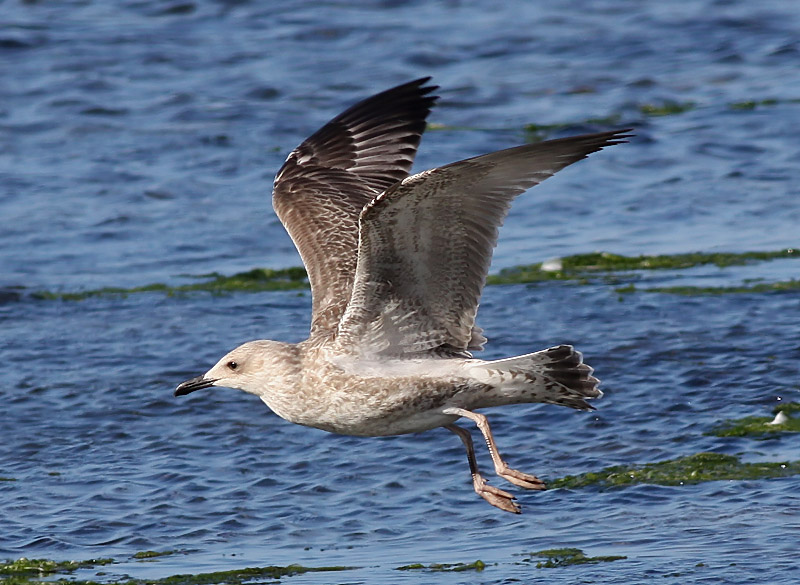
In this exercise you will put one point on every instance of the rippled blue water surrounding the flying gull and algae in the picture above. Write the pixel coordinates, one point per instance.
(138, 141)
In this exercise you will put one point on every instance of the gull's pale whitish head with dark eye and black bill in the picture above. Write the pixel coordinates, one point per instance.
(249, 367)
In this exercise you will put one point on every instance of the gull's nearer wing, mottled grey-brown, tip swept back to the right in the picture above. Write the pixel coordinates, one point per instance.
(426, 244)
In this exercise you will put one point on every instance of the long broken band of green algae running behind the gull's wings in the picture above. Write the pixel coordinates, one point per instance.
(579, 268)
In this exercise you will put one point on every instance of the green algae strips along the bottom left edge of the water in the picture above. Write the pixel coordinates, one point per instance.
(32, 571)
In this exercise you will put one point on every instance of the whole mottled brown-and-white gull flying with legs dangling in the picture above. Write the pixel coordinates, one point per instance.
(396, 265)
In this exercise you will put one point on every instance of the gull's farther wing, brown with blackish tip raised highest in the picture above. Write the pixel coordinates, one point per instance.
(326, 181)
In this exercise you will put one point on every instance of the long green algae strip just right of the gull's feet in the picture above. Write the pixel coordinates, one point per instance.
(696, 468)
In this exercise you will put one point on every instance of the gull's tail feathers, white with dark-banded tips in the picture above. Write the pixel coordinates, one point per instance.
(556, 375)
